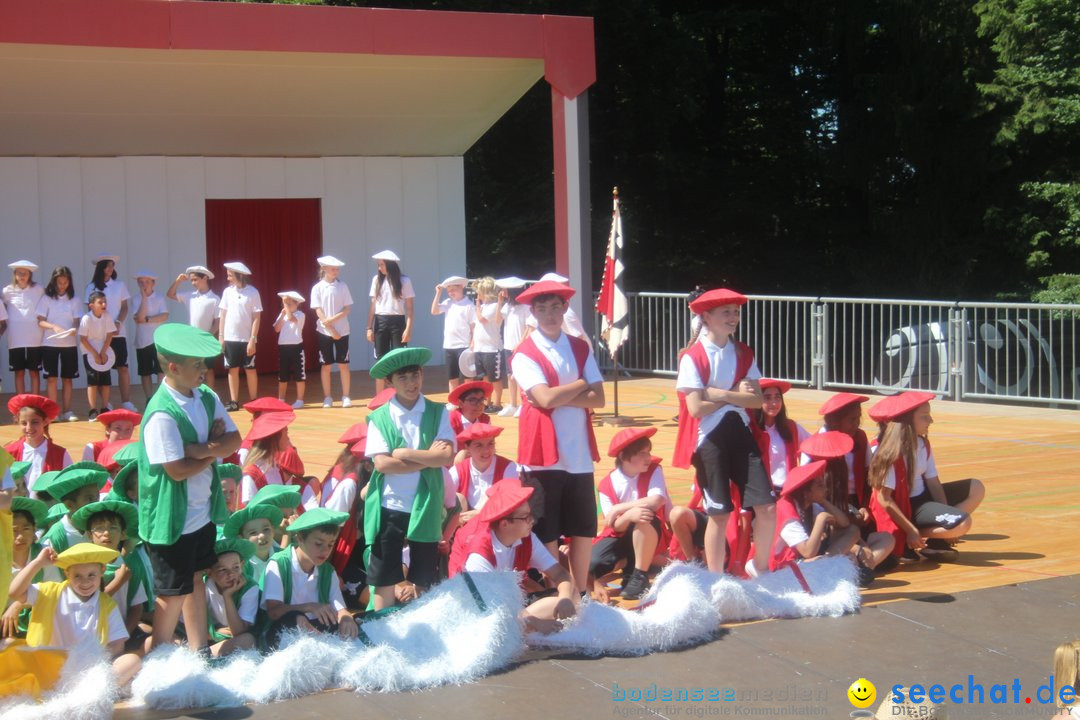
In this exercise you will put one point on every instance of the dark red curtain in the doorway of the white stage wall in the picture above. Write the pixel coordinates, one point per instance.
(279, 240)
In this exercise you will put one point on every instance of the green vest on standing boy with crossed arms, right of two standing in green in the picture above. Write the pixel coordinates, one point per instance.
(426, 521)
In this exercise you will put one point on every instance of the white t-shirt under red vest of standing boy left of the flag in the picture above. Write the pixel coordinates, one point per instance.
(574, 453)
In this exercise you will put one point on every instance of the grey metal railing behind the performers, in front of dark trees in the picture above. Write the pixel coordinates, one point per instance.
(980, 351)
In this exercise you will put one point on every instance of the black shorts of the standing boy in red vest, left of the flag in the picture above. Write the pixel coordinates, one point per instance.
(568, 505)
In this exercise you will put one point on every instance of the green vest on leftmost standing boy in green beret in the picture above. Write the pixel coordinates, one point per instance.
(164, 502)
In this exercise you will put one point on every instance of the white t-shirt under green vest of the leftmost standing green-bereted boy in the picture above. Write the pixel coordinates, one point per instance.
(164, 444)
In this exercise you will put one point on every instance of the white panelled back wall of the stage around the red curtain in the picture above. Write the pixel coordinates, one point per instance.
(151, 212)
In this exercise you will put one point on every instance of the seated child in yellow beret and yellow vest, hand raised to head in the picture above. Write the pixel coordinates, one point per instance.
(64, 615)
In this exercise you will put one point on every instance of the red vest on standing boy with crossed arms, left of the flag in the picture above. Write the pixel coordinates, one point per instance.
(537, 445)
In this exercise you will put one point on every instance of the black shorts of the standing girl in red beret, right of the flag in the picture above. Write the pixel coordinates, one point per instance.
(731, 456)
